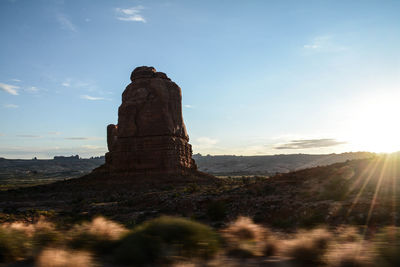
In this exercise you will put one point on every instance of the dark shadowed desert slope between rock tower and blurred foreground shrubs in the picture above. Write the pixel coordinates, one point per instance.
(355, 192)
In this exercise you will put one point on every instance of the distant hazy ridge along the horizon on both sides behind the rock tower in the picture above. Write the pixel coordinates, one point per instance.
(15, 172)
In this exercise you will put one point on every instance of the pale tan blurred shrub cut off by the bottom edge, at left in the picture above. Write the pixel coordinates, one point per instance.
(64, 258)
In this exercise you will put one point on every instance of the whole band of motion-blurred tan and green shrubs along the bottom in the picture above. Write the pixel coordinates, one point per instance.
(182, 242)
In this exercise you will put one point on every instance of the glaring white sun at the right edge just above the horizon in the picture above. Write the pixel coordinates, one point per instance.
(374, 125)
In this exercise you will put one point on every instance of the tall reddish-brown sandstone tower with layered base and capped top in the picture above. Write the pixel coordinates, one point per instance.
(150, 137)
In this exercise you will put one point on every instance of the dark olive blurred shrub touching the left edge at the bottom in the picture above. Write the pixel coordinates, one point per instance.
(14, 244)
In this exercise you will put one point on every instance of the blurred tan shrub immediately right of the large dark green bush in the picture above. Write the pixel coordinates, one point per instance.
(244, 238)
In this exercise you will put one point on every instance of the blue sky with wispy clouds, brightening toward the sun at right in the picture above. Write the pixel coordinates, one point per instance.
(258, 77)
